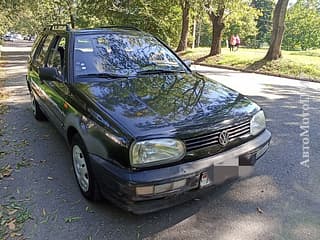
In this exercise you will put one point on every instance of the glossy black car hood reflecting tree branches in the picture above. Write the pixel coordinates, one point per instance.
(167, 104)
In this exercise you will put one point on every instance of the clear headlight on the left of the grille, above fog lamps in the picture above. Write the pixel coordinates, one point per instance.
(157, 151)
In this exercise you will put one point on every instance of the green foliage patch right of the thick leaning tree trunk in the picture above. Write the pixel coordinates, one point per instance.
(302, 26)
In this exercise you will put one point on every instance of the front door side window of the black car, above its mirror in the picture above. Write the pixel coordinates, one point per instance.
(57, 54)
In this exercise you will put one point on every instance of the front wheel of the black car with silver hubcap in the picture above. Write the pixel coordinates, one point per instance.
(82, 169)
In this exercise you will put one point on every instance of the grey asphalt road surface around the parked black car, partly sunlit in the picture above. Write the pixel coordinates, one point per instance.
(281, 200)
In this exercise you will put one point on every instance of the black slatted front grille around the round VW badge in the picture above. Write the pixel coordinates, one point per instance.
(238, 130)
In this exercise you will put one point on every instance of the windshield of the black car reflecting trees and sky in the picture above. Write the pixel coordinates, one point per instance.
(121, 54)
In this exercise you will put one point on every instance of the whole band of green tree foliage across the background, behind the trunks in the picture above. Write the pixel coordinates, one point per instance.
(251, 19)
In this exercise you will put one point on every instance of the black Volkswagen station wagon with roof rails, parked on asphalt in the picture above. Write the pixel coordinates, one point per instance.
(145, 131)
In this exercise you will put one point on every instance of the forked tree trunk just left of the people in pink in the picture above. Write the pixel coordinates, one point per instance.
(217, 28)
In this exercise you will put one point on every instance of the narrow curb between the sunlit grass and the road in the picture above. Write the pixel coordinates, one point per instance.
(262, 73)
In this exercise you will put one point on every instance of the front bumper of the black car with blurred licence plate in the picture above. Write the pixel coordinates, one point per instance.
(120, 185)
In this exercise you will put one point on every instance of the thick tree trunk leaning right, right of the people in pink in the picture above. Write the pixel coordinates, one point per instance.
(279, 15)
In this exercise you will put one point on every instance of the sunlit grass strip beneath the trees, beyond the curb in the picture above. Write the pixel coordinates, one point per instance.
(298, 64)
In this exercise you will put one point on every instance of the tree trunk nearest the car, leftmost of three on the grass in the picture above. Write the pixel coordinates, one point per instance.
(183, 43)
